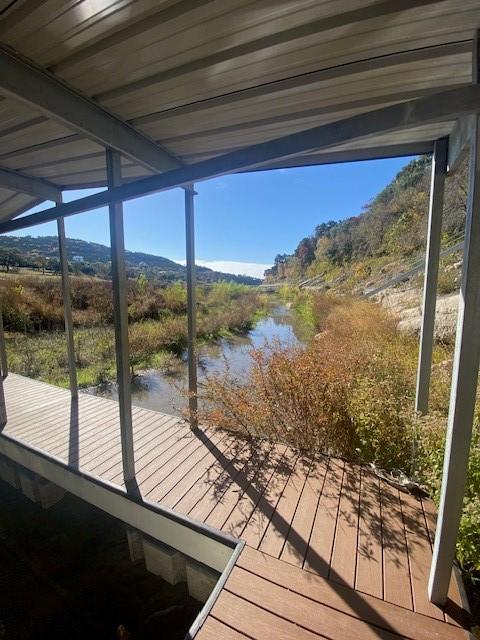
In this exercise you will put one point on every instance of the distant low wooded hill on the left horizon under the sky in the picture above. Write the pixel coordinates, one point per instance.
(94, 259)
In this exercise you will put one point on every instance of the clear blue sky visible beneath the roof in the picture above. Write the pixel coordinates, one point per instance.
(243, 218)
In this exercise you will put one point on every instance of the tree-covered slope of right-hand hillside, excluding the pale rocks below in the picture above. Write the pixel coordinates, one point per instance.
(386, 238)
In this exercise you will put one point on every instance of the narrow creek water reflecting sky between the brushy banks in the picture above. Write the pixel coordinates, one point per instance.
(164, 390)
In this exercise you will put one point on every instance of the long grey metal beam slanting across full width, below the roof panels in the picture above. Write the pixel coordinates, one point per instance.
(439, 107)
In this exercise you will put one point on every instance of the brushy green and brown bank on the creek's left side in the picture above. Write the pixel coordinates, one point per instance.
(157, 331)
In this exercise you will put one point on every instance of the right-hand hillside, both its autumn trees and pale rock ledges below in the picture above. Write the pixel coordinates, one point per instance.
(386, 240)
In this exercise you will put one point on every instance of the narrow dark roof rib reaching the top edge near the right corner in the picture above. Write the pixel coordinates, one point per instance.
(274, 39)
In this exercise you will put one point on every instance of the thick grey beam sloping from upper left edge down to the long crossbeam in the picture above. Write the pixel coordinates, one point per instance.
(22, 80)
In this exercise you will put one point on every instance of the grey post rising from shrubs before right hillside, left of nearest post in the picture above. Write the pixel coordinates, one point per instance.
(434, 235)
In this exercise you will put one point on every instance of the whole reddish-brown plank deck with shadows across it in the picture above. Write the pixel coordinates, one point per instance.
(331, 550)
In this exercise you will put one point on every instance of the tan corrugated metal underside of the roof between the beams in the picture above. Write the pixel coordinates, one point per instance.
(204, 77)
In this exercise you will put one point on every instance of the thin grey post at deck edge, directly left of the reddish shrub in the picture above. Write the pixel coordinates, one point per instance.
(191, 306)
